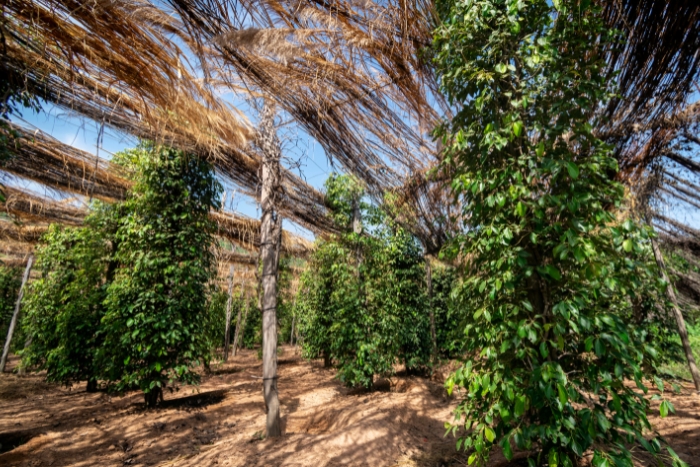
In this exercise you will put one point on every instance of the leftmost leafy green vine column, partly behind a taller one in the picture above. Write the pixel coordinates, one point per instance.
(64, 306)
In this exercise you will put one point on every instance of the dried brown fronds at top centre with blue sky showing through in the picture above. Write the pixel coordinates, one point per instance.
(357, 83)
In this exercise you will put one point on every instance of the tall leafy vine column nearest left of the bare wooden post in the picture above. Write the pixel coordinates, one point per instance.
(153, 327)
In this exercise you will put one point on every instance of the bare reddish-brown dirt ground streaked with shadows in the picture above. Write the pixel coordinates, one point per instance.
(221, 422)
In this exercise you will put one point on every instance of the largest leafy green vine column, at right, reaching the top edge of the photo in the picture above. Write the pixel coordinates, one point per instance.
(553, 277)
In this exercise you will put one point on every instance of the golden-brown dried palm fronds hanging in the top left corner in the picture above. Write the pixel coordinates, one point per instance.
(119, 54)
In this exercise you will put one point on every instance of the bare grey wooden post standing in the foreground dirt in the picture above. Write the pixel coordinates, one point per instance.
(270, 261)
